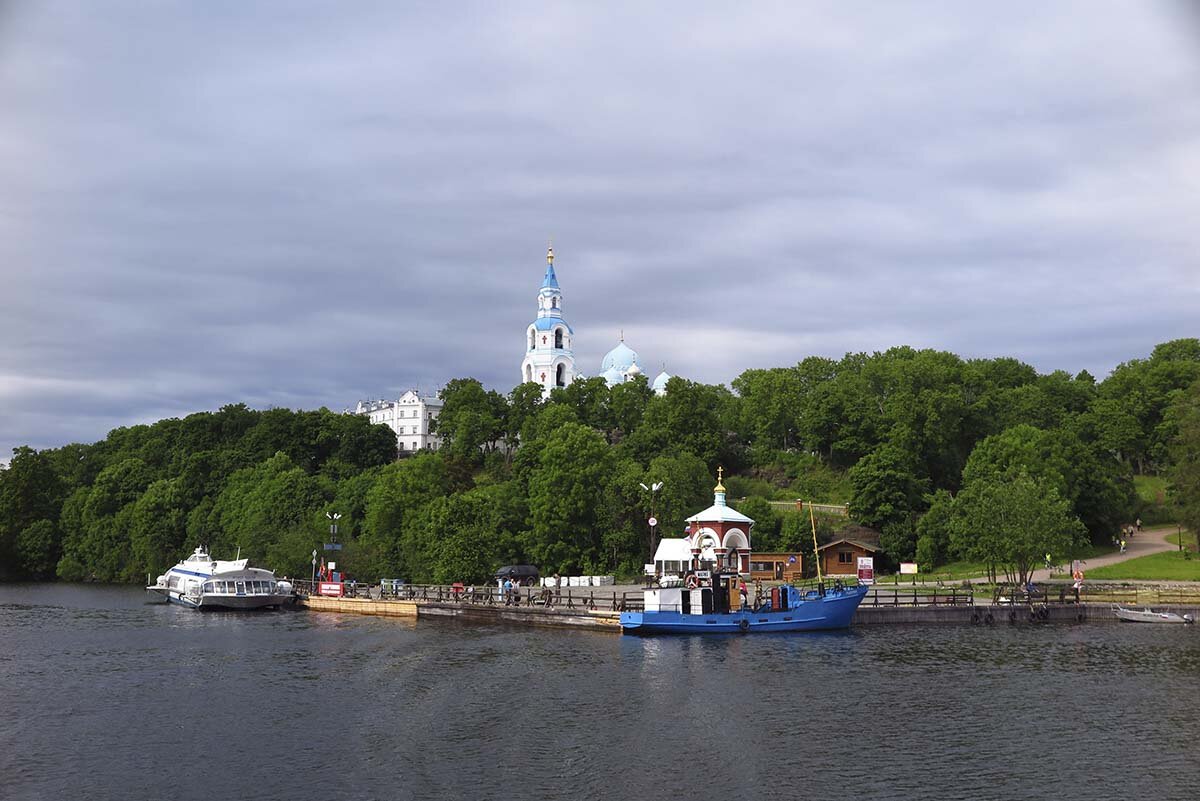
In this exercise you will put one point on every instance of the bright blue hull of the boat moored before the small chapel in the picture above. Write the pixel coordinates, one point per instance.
(831, 612)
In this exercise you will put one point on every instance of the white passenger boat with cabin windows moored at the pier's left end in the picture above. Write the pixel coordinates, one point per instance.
(202, 583)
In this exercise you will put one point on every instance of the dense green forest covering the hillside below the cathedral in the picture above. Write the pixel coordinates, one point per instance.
(947, 459)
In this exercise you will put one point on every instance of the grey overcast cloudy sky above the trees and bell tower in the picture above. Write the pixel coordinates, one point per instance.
(304, 204)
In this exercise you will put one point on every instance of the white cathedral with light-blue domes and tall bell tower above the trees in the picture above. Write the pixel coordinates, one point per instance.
(550, 359)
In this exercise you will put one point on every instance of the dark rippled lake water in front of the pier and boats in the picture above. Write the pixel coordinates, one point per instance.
(109, 697)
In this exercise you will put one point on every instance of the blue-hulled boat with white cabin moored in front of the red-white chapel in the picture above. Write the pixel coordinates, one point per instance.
(706, 611)
